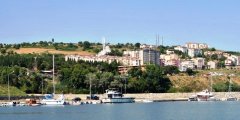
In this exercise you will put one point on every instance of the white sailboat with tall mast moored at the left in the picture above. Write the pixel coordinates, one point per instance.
(50, 100)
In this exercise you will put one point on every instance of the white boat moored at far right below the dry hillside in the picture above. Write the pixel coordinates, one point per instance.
(205, 95)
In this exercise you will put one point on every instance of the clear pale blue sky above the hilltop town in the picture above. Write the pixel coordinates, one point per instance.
(215, 22)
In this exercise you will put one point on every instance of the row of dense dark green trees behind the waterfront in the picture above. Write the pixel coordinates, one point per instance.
(75, 77)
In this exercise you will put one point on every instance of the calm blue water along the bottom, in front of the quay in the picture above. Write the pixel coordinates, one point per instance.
(134, 111)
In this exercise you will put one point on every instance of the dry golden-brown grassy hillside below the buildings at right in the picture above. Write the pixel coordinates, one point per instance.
(200, 81)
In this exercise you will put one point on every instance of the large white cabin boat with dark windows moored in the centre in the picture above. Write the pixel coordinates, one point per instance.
(114, 96)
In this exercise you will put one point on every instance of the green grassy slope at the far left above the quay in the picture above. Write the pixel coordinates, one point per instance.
(13, 91)
